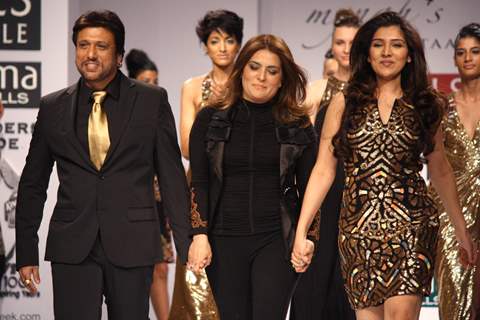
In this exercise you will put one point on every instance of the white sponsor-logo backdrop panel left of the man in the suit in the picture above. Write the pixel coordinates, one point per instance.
(28, 60)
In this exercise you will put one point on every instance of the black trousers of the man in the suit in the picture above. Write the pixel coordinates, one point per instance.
(78, 289)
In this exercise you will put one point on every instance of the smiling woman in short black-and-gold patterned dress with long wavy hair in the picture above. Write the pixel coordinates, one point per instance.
(384, 128)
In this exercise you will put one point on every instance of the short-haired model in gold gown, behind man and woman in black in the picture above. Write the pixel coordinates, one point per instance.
(221, 33)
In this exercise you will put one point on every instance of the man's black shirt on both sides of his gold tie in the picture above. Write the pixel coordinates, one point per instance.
(84, 107)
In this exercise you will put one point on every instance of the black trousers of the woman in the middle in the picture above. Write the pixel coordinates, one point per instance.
(250, 277)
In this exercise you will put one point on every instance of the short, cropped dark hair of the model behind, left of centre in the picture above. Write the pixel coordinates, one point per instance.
(224, 20)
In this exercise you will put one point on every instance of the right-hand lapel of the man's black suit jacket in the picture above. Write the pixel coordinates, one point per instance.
(122, 115)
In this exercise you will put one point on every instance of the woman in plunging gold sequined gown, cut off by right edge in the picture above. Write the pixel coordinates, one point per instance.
(459, 287)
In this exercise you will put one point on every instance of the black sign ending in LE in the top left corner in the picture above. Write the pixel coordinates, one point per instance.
(20, 25)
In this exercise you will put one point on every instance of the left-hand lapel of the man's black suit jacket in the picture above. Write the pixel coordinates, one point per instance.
(69, 103)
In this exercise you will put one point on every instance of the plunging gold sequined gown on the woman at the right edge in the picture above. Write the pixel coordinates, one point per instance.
(459, 287)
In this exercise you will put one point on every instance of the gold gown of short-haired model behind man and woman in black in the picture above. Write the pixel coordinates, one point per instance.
(192, 297)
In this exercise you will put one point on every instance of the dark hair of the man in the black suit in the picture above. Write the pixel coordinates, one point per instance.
(104, 19)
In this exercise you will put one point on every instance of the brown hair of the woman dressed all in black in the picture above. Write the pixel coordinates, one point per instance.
(289, 96)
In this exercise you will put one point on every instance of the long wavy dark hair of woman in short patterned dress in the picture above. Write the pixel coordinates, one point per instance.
(361, 91)
